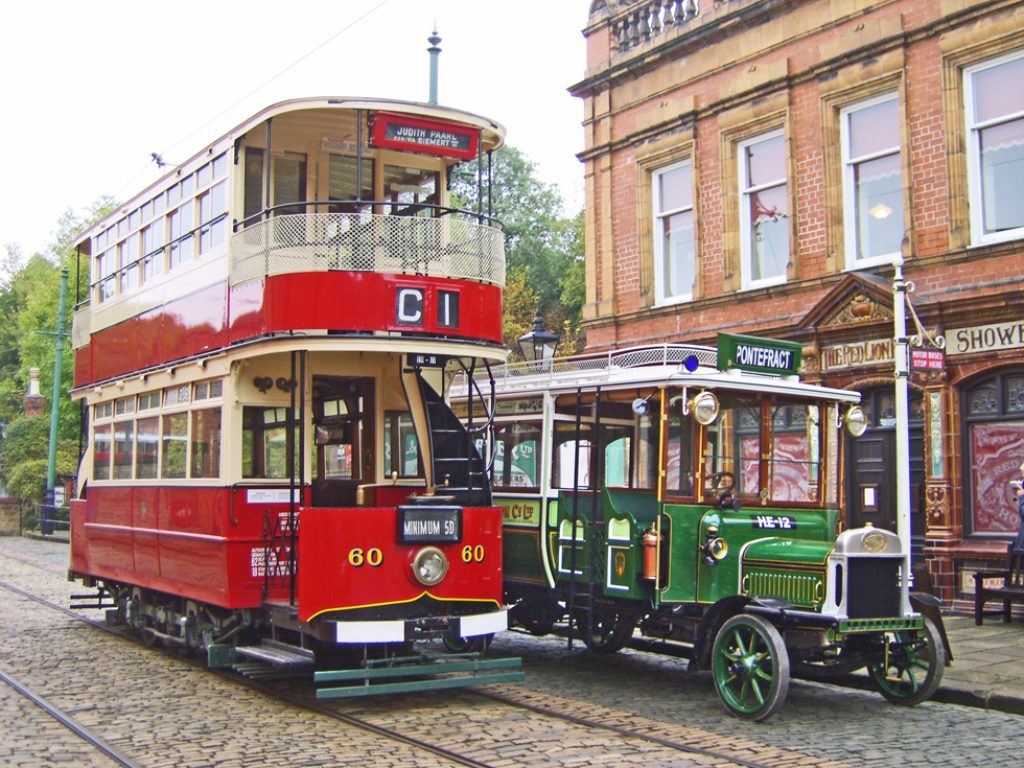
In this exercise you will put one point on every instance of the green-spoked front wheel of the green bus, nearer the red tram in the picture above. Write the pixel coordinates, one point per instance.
(751, 667)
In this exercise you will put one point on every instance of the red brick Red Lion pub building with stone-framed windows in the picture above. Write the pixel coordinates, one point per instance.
(757, 166)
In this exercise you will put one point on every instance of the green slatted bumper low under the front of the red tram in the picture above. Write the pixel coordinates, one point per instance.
(419, 673)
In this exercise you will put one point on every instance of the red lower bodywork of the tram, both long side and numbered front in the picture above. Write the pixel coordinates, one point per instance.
(194, 542)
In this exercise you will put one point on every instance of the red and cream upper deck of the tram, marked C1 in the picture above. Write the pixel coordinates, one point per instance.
(321, 217)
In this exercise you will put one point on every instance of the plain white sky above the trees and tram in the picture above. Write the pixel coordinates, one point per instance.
(90, 90)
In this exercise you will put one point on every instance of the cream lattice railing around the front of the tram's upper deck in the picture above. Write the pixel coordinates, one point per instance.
(454, 245)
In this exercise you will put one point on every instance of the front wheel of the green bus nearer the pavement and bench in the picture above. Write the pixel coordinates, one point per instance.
(911, 666)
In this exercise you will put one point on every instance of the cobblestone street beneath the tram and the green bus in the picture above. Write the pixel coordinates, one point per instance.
(165, 711)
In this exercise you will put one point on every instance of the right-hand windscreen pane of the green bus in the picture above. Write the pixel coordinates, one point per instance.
(795, 453)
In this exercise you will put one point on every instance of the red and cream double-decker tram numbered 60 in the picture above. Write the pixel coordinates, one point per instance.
(273, 472)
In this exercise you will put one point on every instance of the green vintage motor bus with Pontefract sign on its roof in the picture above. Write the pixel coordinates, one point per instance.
(695, 495)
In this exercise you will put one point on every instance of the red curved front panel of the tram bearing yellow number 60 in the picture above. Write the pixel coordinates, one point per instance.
(332, 578)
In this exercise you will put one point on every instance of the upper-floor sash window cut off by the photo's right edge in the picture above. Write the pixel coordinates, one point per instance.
(996, 148)
